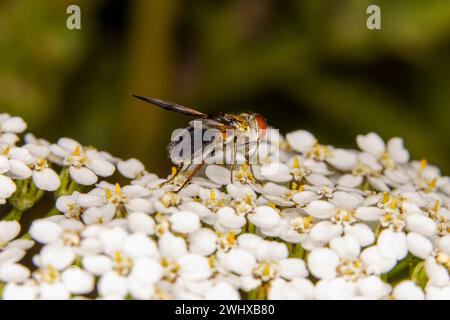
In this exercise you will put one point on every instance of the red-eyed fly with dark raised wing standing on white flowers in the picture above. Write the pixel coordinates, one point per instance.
(231, 131)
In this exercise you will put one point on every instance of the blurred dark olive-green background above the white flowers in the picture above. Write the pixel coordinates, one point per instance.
(308, 64)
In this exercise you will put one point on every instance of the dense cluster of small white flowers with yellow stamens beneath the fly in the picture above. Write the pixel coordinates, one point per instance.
(312, 222)
